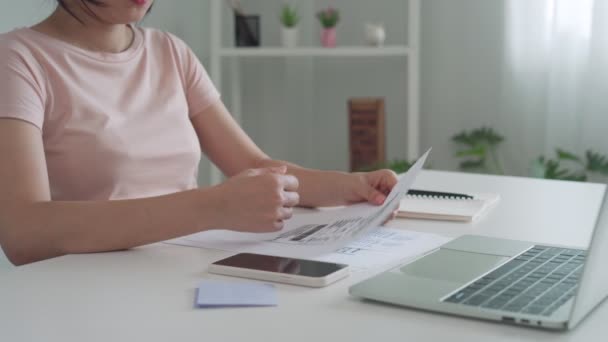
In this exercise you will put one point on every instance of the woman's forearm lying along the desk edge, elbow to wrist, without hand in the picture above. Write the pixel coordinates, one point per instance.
(37, 231)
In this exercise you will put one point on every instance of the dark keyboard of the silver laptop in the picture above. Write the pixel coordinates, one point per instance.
(536, 282)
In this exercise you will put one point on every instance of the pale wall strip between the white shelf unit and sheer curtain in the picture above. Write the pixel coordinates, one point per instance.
(462, 48)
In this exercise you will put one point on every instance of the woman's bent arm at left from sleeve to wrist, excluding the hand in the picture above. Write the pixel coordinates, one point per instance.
(32, 227)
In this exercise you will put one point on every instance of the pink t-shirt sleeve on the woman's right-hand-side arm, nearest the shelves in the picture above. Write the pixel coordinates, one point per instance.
(199, 89)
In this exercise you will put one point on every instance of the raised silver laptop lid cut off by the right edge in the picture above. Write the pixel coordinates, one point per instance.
(593, 285)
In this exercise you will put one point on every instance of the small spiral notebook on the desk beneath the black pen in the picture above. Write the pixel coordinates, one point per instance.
(448, 208)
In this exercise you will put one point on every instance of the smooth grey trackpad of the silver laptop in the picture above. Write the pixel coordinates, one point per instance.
(453, 266)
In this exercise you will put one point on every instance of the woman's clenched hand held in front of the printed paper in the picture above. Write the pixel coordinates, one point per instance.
(257, 200)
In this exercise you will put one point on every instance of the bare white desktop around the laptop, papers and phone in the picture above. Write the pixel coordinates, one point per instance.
(147, 294)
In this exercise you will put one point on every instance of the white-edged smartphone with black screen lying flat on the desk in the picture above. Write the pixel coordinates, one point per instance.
(279, 269)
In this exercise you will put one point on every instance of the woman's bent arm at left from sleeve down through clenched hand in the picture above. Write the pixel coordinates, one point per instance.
(33, 227)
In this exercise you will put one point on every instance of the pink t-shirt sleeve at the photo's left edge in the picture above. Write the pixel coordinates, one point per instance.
(21, 92)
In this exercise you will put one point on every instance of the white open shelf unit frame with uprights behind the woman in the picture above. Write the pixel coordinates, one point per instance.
(410, 53)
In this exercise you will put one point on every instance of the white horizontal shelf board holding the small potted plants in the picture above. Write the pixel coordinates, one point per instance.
(350, 51)
